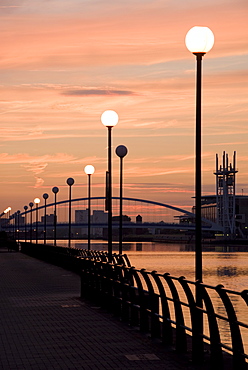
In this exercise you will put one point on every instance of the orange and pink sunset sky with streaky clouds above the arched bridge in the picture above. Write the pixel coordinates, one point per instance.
(64, 62)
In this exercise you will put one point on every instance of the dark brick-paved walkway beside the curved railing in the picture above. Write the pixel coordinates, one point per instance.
(44, 325)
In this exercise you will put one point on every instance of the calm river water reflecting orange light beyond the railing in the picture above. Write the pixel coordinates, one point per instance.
(221, 264)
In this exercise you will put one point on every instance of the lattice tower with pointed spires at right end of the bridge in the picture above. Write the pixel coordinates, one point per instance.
(225, 194)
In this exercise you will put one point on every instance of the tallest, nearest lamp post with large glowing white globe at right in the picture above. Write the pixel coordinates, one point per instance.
(199, 40)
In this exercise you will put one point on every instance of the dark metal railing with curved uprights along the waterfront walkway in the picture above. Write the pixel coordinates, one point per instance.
(153, 302)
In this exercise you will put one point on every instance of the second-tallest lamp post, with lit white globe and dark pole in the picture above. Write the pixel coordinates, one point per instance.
(109, 119)
